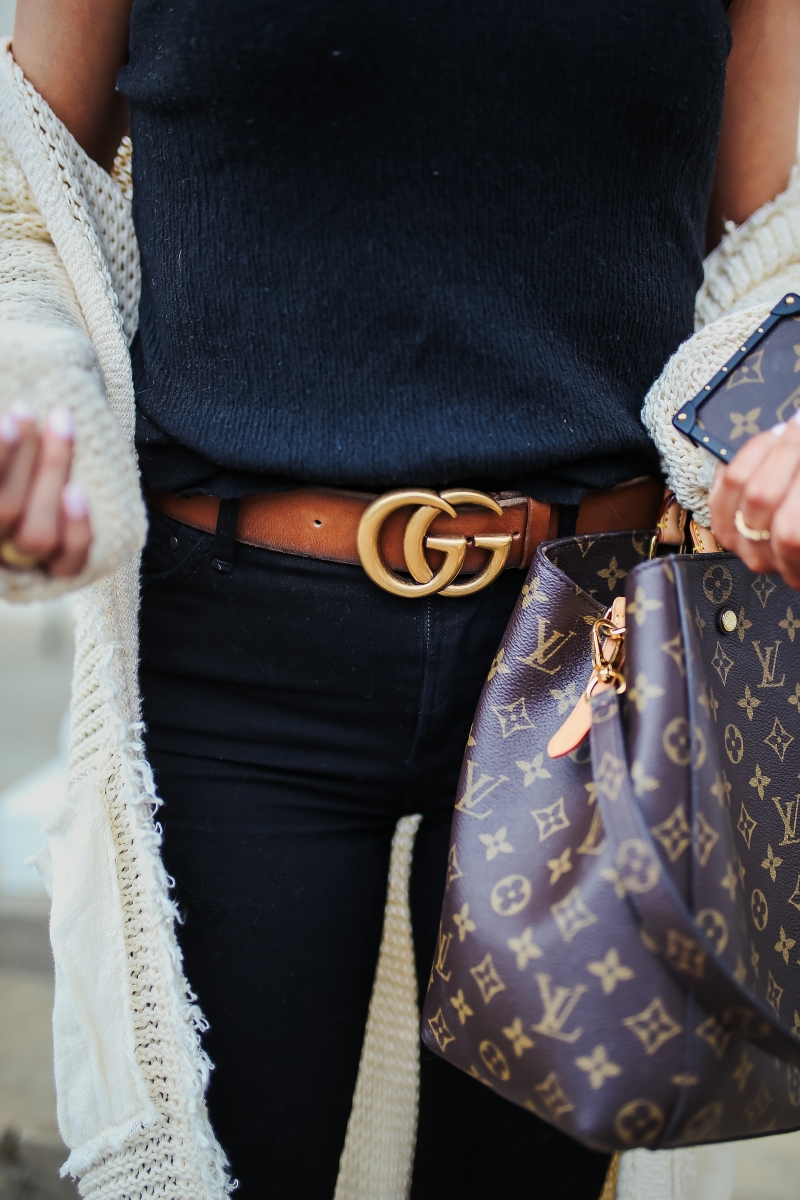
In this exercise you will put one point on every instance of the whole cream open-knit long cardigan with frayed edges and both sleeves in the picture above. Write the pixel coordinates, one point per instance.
(130, 1070)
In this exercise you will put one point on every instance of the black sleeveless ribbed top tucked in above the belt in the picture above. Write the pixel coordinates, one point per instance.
(429, 243)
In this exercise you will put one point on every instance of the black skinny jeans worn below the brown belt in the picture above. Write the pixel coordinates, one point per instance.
(294, 713)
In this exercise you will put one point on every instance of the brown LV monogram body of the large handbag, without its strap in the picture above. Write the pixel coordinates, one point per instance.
(546, 986)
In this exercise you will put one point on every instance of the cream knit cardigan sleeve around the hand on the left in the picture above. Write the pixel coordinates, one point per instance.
(49, 359)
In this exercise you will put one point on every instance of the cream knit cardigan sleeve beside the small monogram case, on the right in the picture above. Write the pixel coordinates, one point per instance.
(755, 266)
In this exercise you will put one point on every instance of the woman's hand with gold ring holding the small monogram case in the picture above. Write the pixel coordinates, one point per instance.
(760, 493)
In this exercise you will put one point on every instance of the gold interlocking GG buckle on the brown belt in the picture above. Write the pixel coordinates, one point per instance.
(416, 542)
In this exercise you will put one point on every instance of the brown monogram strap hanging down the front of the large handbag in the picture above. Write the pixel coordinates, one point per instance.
(664, 916)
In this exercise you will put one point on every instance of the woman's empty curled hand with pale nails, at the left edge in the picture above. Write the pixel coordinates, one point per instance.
(44, 518)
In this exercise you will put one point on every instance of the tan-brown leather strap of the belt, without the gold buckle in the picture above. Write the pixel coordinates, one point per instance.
(322, 523)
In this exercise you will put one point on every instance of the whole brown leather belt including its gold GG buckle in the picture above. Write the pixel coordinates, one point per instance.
(322, 523)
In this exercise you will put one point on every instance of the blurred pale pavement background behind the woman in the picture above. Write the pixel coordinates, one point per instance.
(35, 668)
